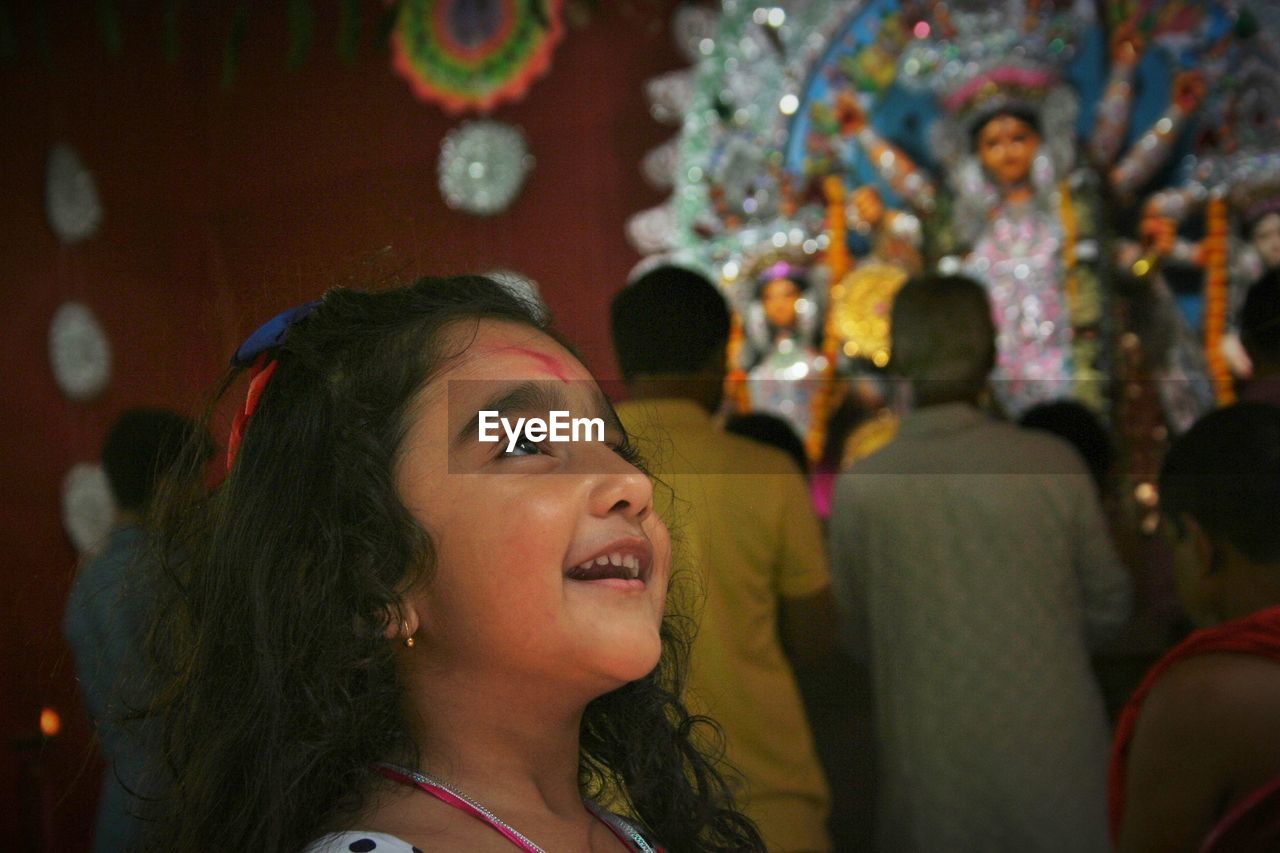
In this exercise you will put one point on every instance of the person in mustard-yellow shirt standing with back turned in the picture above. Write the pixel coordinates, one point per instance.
(746, 517)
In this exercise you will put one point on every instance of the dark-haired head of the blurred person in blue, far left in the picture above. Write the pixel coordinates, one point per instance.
(143, 445)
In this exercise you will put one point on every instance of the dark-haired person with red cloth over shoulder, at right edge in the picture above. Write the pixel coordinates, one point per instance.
(1196, 760)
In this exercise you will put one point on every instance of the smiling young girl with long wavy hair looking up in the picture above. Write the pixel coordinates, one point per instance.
(391, 635)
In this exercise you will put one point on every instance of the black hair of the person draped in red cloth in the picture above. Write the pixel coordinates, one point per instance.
(1226, 475)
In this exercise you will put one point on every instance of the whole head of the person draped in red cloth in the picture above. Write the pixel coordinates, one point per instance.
(1220, 498)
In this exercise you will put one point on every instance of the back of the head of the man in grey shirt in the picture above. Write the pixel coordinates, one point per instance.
(944, 339)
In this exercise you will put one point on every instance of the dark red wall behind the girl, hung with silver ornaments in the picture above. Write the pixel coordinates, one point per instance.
(223, 207)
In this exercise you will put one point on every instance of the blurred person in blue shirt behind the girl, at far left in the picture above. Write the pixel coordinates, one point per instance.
(108, 617)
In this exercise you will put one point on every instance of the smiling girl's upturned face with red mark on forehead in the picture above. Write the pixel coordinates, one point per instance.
(514, 528)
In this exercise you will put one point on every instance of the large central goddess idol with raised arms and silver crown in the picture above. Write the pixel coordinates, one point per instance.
(1016, 209)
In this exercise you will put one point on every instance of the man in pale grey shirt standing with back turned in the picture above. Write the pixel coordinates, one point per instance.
(976, 571)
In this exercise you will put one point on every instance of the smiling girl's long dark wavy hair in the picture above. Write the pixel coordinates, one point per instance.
(281, 688)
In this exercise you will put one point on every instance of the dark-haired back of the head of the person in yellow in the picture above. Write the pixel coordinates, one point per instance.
(670, 322)
